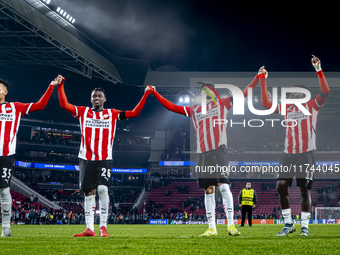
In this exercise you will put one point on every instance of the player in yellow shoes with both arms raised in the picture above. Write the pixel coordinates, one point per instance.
(211, 149)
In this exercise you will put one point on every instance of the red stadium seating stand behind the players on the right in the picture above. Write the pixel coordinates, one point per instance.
(173, 196)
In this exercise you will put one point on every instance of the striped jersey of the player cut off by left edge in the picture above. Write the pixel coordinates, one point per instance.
(10, 115)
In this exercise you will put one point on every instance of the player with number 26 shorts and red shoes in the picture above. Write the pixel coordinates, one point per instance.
(98, 127)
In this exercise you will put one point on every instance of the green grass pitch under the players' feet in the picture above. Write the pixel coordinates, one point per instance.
(170, 239)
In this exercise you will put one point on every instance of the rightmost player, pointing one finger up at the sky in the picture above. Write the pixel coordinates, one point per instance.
(299, 149)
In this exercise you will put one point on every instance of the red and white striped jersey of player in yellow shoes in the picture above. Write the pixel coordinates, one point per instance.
(210, 133)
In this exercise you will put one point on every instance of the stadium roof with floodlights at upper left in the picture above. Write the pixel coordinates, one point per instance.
(33, 36)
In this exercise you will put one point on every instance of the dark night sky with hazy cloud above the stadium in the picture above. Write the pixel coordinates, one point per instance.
(212, 35)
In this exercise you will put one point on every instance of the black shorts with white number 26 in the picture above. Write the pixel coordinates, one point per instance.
(94, 173)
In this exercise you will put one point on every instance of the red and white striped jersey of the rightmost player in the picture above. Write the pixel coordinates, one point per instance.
(301, 128)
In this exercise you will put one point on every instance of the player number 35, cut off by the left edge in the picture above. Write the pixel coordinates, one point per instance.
(10, 115)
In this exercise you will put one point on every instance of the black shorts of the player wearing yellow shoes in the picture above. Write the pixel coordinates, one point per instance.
(218, 162)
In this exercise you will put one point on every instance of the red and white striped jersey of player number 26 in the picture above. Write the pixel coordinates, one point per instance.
(98, 132)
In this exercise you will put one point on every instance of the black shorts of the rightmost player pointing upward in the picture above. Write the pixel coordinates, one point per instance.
(299, 165)
